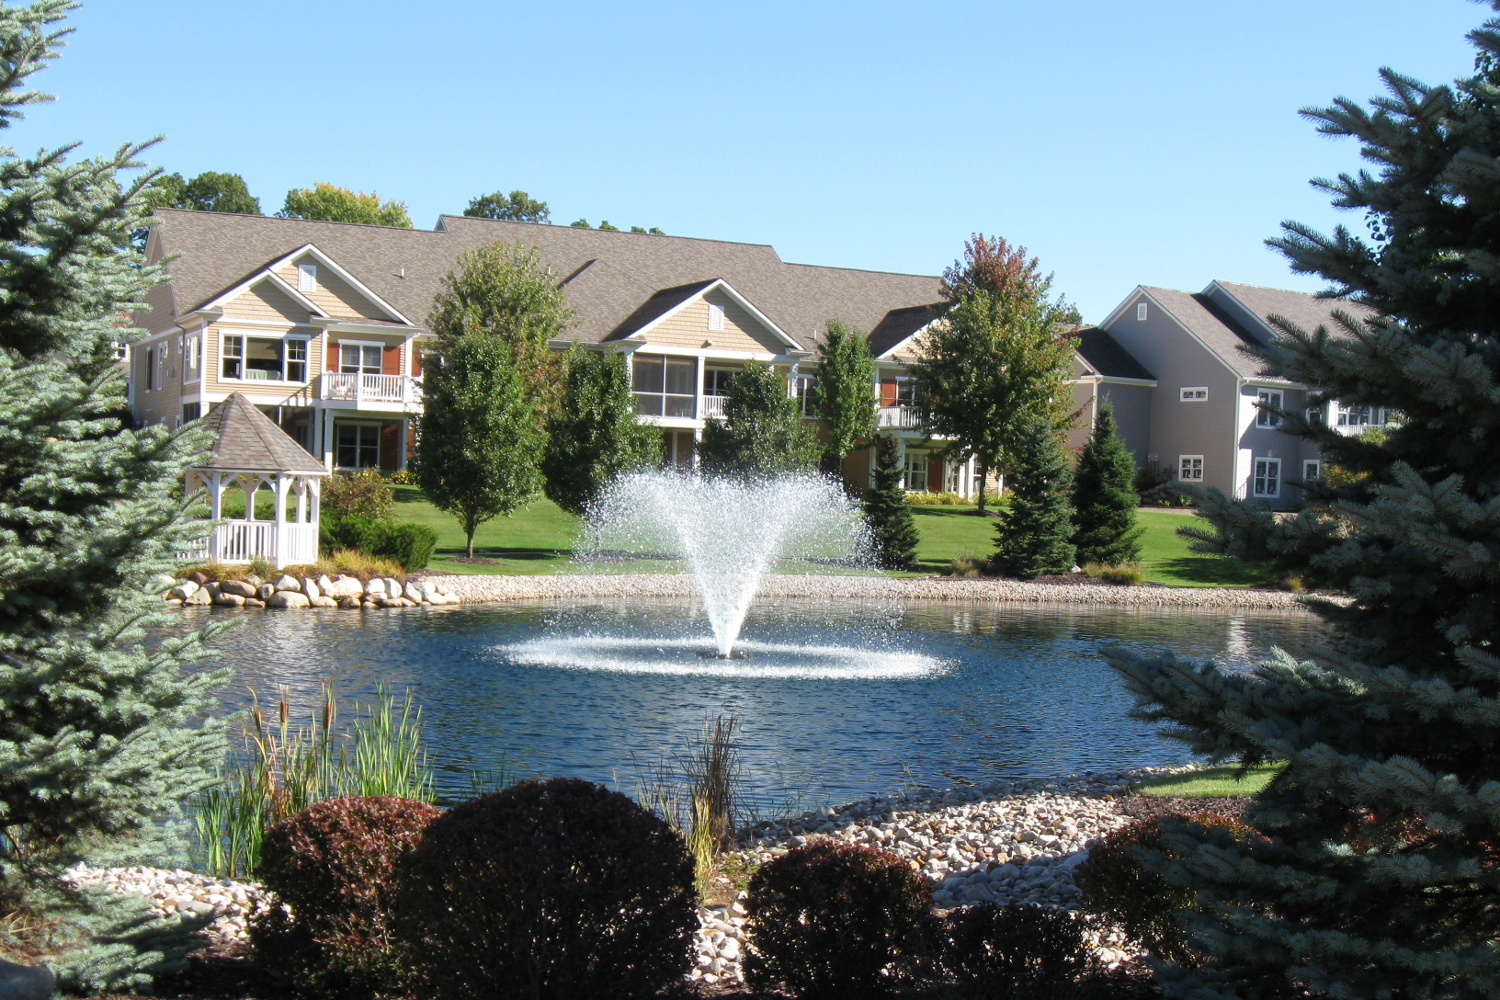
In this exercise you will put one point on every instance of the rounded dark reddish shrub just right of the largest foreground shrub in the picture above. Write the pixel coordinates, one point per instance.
(835, 921)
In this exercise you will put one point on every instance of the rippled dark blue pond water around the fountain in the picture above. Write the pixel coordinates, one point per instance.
(922, 693)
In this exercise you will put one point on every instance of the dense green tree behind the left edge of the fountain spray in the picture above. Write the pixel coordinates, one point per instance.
(595, 436)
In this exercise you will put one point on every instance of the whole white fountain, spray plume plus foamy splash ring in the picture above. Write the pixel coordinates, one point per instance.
(730, 534)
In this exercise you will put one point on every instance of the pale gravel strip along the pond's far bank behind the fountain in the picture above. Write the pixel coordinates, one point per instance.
(476, 590)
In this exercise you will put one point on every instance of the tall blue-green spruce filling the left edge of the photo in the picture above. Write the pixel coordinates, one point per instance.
(98, 729)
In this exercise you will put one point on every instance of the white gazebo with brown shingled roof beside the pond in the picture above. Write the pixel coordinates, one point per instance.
(253, 454)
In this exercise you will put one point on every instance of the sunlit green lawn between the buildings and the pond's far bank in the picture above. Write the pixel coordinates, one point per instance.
(541, 540)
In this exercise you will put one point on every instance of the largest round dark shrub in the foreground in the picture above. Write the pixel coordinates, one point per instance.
(557, 890)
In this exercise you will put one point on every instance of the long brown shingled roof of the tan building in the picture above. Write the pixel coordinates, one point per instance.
(608, 277)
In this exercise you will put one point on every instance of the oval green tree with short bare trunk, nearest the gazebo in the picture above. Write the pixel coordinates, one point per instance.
(481, 449)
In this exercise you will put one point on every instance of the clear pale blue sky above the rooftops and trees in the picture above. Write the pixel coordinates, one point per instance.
(1154, 142)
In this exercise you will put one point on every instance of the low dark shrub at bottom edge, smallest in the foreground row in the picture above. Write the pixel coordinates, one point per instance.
(1015, 953)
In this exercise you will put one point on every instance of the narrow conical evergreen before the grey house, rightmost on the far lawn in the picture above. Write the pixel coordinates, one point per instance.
(1105, 499)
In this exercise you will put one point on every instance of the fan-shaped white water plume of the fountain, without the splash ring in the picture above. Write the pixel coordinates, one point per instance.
(728, 531)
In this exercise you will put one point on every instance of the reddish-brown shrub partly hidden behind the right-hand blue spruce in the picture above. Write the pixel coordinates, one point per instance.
(1120, 887)
